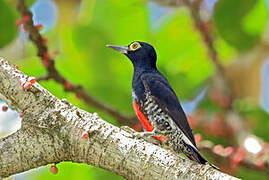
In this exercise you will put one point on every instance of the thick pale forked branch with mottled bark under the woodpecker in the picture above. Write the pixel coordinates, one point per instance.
(51, 132)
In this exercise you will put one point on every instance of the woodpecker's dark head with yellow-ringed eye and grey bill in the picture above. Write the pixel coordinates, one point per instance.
(142, 55)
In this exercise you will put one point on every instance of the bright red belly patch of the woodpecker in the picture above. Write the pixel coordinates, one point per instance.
(145, 122)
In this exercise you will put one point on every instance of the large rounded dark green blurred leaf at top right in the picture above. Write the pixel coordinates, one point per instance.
(237, 22)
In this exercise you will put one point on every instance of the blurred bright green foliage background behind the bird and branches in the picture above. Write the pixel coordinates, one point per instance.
(78, 30)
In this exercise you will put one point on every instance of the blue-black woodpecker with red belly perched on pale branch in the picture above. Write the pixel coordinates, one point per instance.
(156, 104)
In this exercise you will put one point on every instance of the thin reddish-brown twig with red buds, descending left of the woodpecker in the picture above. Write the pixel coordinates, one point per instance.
(54, 74)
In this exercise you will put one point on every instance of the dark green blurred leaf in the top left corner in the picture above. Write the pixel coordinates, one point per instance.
(8, 29)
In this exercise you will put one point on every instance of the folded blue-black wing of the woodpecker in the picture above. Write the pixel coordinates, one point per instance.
(167, 100)
